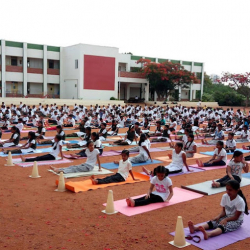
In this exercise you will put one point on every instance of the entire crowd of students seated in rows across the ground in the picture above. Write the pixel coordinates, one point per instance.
(233, 202)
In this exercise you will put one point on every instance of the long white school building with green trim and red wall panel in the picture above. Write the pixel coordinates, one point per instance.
(81, 71)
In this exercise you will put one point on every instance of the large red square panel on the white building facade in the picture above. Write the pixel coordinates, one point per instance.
(99, 72)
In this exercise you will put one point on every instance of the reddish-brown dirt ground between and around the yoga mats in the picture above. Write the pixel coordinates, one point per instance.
(33, 216)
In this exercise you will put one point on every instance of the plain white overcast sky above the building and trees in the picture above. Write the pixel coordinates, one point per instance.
(215, 32)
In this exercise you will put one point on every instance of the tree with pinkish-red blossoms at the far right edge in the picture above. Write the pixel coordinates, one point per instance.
(239, 82)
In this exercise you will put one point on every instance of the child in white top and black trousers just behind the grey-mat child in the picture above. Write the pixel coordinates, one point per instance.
(219, 158)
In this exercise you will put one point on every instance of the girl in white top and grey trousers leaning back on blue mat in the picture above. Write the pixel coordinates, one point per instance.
(144, 154)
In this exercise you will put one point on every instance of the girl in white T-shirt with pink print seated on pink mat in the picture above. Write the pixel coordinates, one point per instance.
(163, 193)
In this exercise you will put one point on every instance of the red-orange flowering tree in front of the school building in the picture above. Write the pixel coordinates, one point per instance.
(166, 76)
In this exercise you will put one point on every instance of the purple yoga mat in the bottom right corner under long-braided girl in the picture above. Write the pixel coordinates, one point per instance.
(222, 240)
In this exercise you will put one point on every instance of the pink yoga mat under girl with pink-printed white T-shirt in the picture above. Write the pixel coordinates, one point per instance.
(178, 197)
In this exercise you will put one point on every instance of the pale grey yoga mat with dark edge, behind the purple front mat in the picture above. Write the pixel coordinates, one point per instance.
(206, 188)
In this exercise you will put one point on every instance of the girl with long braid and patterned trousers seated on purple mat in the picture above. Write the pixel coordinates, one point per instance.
(231, 216)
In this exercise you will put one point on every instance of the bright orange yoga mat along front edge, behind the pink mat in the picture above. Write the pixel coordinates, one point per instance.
(81, 186)
